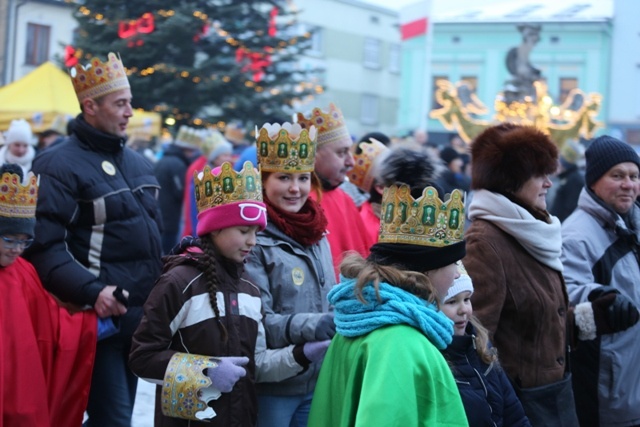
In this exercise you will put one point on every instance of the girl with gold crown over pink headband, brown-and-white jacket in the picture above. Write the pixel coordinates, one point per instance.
(202, 338)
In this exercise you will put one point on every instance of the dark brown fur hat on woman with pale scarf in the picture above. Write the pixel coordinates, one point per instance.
(505, 156)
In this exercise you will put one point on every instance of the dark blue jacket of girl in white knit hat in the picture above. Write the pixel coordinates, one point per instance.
(487, 394)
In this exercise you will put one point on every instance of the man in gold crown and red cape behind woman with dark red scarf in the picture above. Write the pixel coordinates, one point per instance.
(333, 160)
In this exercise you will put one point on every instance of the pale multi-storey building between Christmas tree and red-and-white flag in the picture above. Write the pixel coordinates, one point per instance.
(358, 46)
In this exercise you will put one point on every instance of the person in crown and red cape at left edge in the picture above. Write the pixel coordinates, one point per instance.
(47, 354)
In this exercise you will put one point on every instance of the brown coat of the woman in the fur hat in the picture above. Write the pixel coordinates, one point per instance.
(522, 303)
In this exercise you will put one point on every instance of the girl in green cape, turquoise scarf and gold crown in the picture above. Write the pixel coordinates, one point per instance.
(384, 366)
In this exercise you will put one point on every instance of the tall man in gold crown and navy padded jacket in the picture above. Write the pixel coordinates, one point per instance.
(98, 228)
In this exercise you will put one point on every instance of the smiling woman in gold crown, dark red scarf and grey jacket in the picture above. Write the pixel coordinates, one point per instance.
(292, 266)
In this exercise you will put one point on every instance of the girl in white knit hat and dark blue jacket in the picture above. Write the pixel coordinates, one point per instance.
(487, 394)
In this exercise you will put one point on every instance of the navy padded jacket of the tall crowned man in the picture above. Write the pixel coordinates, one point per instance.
(97, 220)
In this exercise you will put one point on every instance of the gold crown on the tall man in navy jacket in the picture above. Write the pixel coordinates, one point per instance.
(99, 78)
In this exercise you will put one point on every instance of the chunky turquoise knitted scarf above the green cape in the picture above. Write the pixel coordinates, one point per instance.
(395, 307)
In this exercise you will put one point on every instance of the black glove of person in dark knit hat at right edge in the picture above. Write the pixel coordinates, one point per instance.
(612, 311)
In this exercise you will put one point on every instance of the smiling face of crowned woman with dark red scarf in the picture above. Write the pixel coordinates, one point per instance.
(288, 191)
